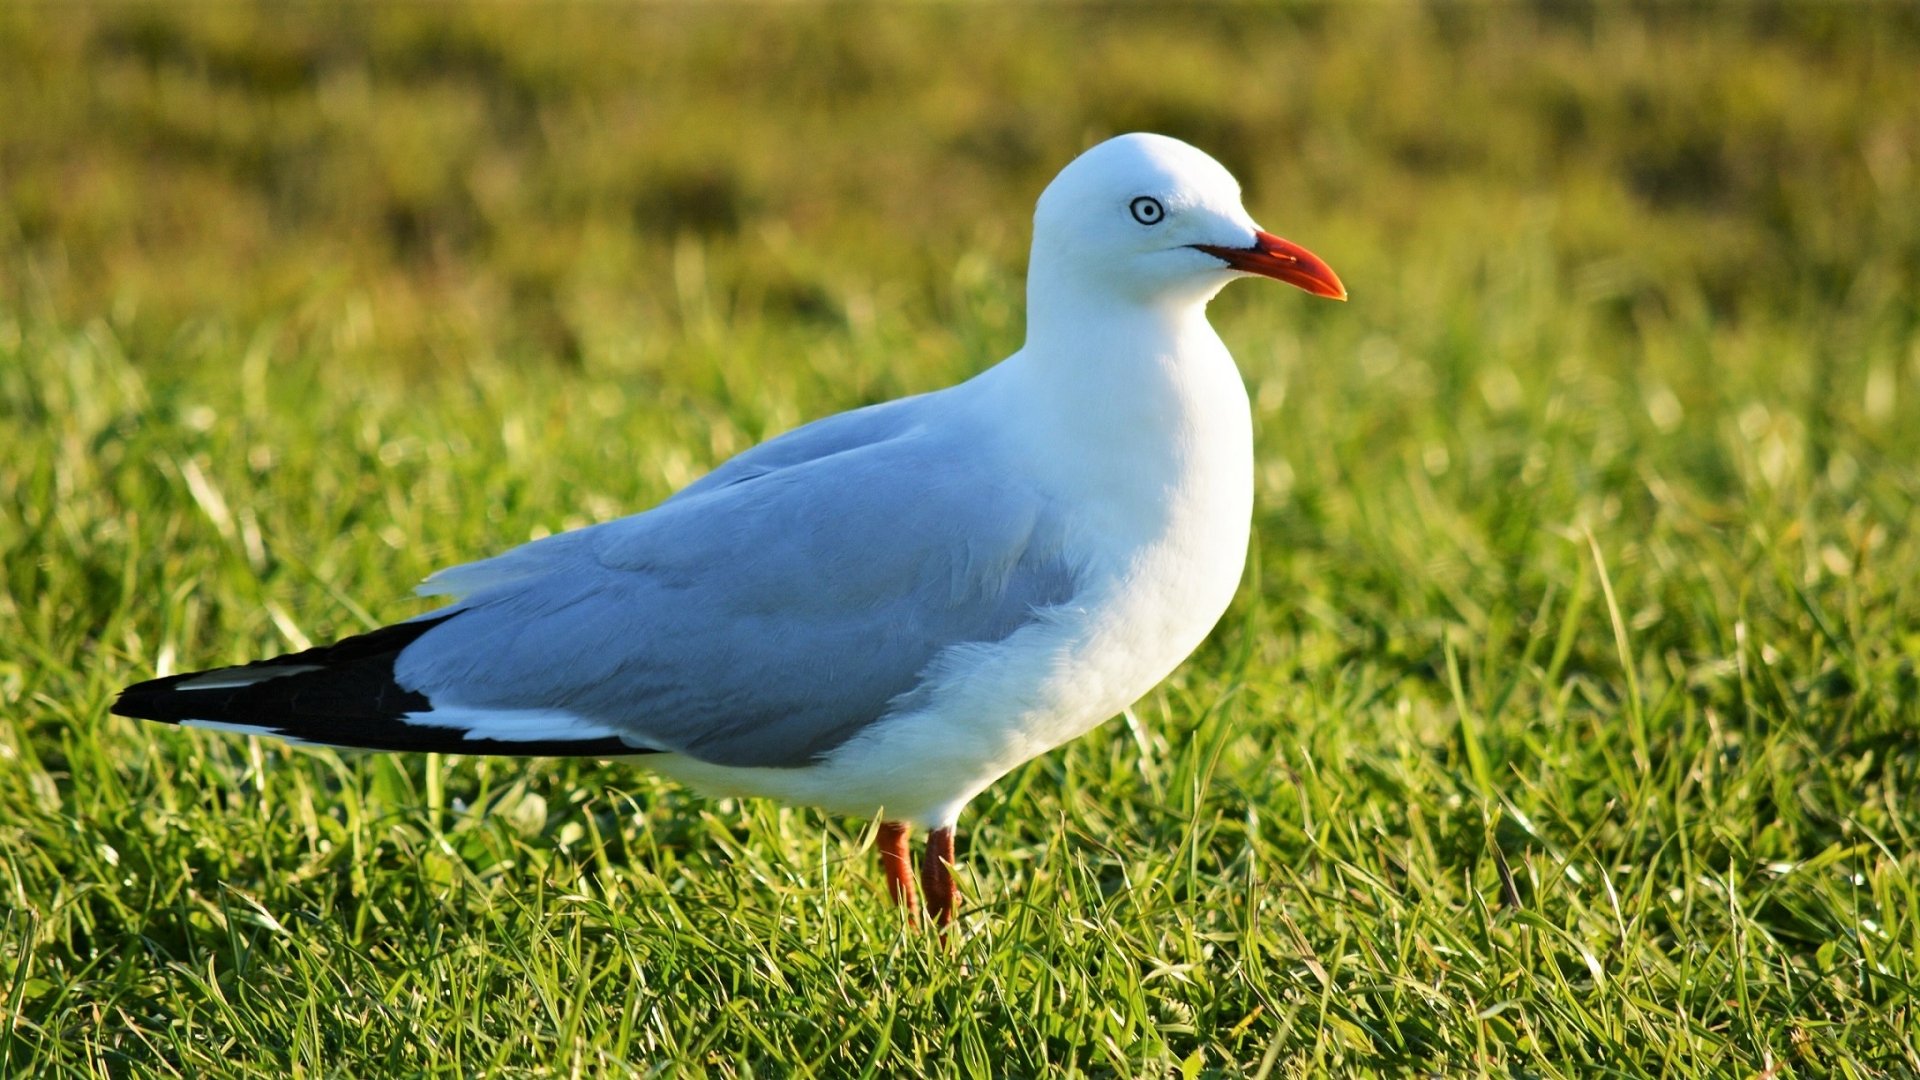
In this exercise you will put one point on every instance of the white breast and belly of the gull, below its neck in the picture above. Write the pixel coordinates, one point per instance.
(1149, 464)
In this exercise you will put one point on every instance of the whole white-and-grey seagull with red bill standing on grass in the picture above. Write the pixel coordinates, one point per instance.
(882, 612)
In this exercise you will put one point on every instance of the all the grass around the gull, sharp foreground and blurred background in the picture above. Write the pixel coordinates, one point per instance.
(1568, 724)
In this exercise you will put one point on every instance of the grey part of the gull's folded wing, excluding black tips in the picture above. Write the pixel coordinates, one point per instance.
(754, 624)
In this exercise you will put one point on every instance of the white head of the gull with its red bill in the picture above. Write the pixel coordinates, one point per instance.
(1151, 220)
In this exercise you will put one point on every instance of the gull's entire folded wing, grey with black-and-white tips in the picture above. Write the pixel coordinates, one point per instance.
(759, 618)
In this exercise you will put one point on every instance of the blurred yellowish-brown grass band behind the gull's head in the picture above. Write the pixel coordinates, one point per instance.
(519, 178)
